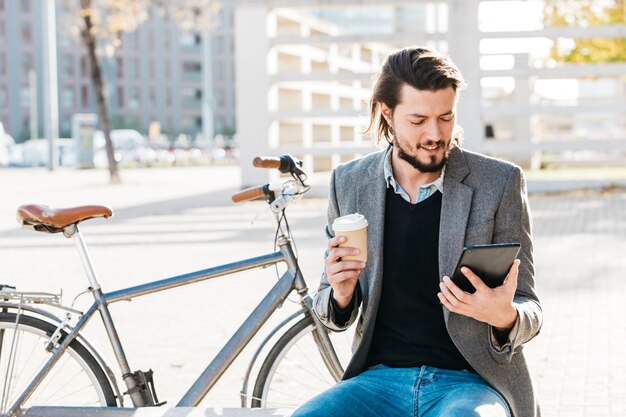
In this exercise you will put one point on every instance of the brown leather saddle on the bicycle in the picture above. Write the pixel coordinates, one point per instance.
(45, 219)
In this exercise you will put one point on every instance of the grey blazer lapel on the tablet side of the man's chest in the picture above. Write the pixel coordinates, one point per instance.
(455, 208)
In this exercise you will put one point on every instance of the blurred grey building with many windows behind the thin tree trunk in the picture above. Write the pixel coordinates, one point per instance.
(155, 74)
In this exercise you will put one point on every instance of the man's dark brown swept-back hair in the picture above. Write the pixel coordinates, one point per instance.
(419, 67)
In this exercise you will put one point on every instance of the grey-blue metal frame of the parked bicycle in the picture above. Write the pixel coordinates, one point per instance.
(290, 280)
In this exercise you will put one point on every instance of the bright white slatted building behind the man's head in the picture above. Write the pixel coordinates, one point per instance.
(520, 104)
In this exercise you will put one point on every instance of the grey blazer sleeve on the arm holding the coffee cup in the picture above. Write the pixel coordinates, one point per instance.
(321, 303)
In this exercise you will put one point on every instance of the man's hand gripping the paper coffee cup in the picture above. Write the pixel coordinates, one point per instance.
(342, 275)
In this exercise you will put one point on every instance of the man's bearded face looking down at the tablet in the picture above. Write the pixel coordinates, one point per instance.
(423, 123)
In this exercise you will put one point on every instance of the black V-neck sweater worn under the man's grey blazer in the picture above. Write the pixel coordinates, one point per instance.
(410, 329)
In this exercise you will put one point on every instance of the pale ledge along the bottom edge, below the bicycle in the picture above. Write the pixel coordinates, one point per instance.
(152, 412)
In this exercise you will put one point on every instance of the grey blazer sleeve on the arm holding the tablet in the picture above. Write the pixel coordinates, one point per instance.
(513, 223)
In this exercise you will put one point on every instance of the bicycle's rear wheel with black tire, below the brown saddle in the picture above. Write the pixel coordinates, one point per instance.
(33, 335)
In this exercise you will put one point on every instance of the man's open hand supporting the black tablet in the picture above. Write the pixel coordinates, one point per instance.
(490, 305)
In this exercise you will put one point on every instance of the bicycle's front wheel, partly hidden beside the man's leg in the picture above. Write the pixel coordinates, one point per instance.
(308, 374)
